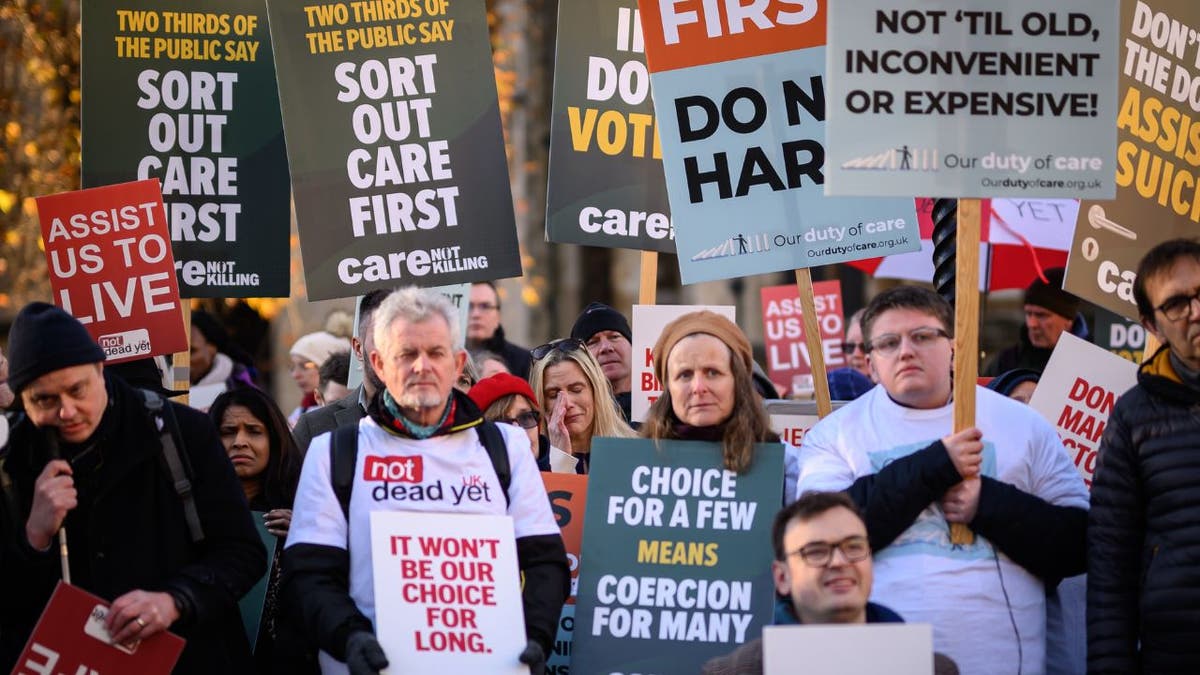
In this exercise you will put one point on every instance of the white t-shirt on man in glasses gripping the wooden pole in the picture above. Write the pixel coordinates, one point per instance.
(959, 590)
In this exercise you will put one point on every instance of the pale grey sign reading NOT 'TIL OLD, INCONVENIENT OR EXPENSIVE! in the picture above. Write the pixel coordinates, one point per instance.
(969, 99)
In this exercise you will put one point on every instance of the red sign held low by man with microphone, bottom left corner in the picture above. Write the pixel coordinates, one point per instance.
(71, 638)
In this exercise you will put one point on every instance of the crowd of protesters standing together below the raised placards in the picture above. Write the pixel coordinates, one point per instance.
(160, 498)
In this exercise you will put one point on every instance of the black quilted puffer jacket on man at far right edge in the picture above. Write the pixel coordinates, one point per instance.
(1144, 530)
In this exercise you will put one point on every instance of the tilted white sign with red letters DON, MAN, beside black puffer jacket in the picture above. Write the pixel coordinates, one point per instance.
(1076, 395)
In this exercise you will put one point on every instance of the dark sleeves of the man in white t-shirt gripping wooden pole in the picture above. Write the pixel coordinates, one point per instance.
(1048, 541)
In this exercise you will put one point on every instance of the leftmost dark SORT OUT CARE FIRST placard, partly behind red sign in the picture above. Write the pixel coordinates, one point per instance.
(187, 94)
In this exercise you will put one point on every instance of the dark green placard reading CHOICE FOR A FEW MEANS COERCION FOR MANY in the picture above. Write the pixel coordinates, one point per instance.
(736, 558)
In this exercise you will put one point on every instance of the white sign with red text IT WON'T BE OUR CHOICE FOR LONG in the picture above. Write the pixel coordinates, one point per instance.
(447, 593)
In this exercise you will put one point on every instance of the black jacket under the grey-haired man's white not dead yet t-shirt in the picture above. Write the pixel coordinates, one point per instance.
(316, 578)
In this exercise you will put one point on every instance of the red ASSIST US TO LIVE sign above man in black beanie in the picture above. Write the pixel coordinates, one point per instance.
(111, 267)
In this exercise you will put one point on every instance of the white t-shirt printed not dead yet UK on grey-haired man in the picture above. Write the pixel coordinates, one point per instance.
(423, 476)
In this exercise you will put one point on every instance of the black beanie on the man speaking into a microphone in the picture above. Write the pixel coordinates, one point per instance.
(45, 339)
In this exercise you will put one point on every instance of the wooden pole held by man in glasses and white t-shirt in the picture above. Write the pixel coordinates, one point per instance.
(967, 331)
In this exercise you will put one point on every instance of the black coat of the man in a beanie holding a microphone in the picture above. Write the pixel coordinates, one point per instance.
(130, 533)
